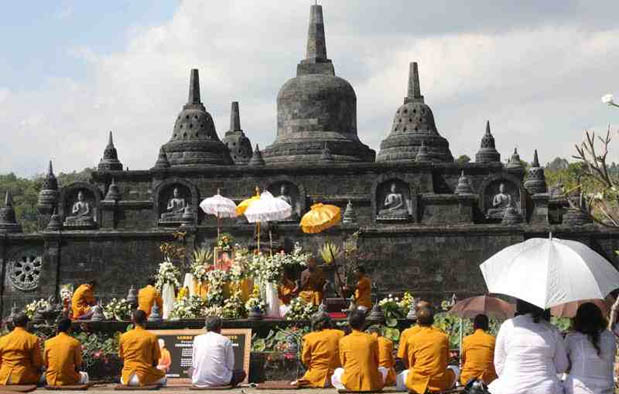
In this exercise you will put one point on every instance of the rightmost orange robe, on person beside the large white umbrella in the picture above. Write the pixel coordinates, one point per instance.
(478, 357)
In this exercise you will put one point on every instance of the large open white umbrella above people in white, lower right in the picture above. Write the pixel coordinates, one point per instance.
(549, 272)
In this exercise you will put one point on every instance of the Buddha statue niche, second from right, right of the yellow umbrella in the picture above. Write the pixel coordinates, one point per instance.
(393, 201)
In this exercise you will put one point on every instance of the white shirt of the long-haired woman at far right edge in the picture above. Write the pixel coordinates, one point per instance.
(590, 373)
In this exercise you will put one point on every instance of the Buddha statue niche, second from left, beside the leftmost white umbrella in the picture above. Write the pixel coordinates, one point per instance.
(176, 202)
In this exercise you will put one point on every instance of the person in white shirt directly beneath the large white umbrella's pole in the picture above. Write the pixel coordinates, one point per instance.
(528, 355)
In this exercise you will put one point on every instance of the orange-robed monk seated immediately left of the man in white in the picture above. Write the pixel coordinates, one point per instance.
(140, 353)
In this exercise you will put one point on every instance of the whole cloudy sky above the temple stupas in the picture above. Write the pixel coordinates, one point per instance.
(71, 71)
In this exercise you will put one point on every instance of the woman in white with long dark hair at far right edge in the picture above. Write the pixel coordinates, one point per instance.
(591, 351)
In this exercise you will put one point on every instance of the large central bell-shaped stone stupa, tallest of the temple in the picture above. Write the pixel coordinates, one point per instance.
(316, 110)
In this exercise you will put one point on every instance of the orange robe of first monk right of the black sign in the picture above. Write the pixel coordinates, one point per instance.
(321, 356)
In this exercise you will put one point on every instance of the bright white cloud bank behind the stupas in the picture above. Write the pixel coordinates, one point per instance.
(539, 86)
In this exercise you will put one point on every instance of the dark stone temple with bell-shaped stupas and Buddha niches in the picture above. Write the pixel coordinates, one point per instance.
(423, 222)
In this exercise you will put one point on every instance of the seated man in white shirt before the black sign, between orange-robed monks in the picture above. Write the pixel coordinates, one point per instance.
(213, 358)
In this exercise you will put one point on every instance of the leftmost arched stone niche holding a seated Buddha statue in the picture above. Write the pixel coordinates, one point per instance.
(79, 206)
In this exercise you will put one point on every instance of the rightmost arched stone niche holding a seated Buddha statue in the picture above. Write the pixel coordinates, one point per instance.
(499, 193)
